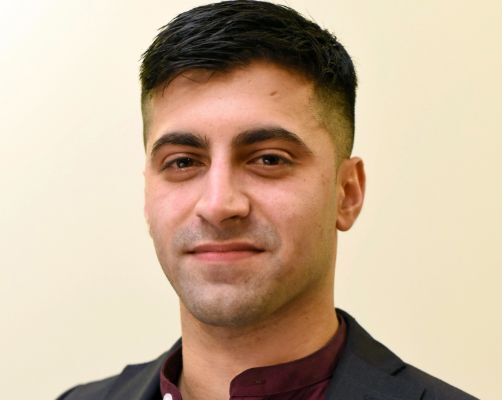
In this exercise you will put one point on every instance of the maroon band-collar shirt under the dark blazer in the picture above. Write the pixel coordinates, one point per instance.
(305, 379)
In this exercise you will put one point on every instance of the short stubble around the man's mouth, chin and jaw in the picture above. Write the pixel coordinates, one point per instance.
(245, 300)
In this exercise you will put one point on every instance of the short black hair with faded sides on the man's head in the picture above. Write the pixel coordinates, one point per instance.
(222, 36)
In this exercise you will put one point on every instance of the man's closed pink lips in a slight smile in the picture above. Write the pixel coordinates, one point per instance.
(221, 252)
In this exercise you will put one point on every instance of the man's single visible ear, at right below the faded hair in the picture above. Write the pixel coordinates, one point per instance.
(350, 192)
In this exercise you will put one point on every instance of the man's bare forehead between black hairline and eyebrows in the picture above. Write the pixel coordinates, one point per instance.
(219, 104)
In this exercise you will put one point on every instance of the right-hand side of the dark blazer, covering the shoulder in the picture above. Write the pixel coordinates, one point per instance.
(371, 370)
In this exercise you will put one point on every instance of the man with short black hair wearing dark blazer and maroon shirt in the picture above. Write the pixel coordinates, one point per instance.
(248, 114)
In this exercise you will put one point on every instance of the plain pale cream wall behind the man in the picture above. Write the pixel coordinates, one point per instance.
(80, 288)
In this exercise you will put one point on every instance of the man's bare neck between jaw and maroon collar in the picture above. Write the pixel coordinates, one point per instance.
(213, 356)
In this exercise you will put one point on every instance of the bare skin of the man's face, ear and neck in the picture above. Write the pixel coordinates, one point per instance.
(243, 200)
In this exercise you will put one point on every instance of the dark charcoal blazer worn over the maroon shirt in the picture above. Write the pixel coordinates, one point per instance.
(367, 370)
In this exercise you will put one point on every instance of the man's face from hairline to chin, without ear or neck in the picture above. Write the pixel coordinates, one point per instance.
(240, 193)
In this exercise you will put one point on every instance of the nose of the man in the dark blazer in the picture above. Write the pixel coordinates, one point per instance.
(222, 199)
